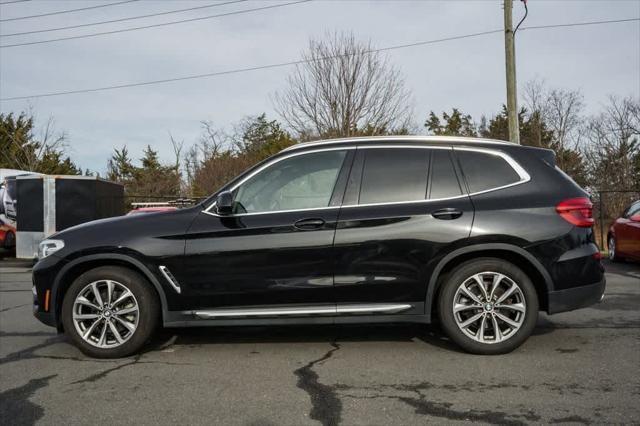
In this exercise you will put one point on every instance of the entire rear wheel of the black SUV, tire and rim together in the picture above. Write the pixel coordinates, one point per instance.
(520, 306)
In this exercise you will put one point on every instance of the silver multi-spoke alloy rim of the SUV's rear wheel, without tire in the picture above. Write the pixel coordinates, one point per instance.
(489, 307)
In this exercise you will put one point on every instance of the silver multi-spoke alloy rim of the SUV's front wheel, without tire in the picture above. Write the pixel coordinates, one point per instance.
(105, 314)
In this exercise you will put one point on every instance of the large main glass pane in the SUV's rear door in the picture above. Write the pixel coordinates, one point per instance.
(393, 175)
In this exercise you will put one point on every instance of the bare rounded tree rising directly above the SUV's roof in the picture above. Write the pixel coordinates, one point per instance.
(344, 88)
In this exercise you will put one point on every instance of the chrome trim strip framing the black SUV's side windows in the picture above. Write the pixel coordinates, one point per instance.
(520, 171)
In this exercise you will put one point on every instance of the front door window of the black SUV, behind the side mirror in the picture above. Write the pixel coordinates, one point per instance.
(300, 182)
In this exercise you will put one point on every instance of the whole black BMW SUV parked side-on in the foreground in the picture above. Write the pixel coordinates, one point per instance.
(479, 235)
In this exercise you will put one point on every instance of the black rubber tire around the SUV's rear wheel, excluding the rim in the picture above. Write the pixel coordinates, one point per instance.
(463, 272)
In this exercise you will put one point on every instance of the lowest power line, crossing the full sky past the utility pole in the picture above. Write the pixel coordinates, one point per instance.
(302, 61)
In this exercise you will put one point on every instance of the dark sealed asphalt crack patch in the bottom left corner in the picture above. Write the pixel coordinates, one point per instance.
(15, 407)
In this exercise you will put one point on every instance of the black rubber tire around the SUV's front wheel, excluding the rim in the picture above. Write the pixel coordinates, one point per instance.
(149, 311)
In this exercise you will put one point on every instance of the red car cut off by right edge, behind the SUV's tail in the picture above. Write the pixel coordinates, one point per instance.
(624, 235)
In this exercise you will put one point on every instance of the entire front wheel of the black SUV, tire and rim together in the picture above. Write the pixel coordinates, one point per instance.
(134, 327)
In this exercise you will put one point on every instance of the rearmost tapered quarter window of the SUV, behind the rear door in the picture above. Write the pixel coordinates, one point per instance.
(485, 171)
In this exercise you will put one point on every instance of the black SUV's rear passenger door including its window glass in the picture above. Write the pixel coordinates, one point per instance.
(402, 206)
